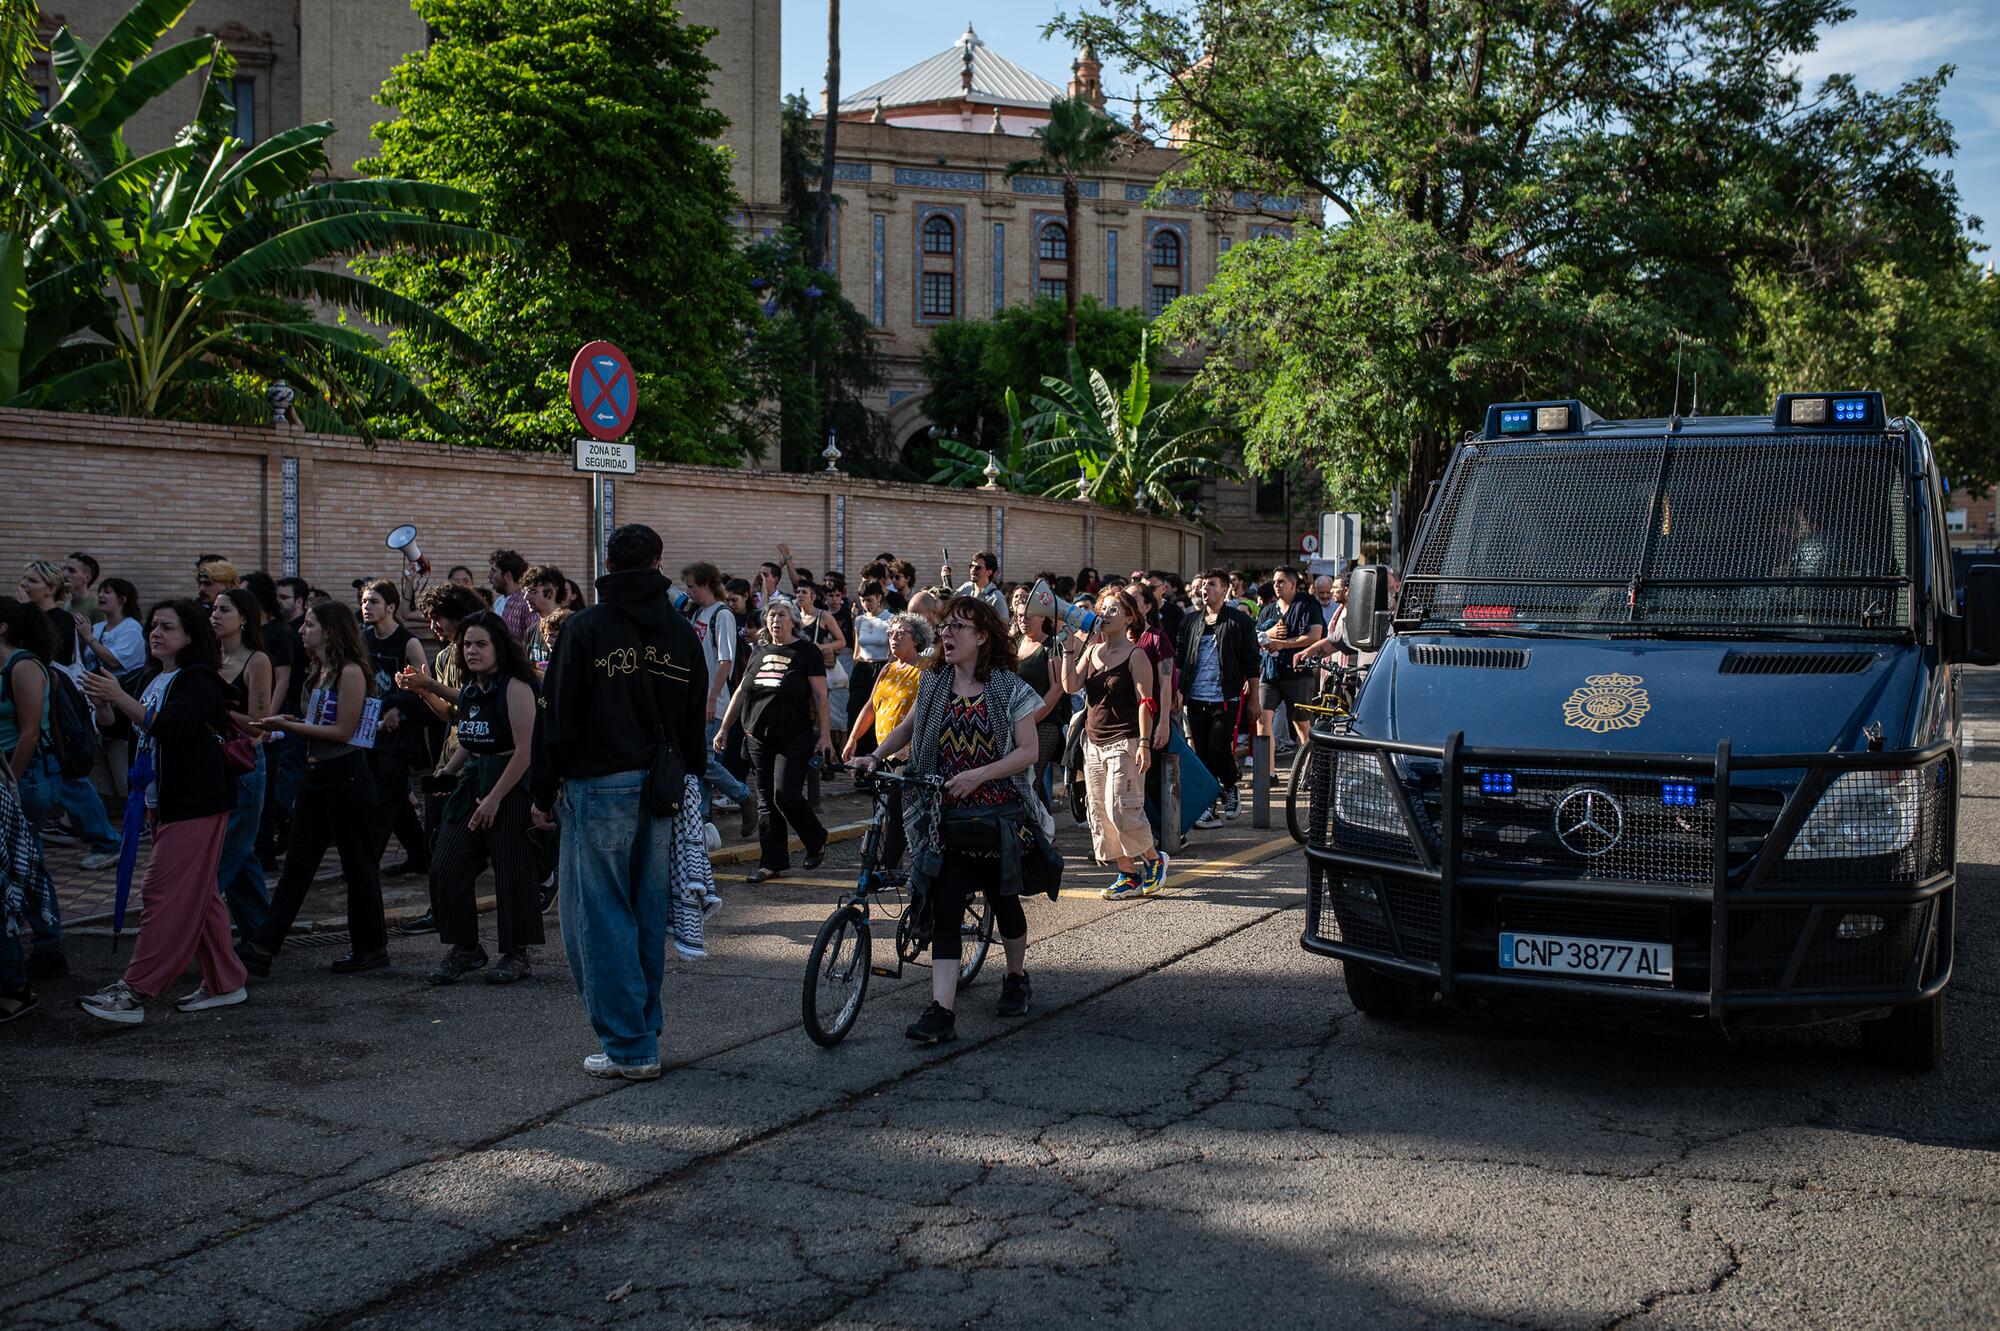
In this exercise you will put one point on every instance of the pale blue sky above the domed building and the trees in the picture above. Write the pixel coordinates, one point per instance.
(1883, 45)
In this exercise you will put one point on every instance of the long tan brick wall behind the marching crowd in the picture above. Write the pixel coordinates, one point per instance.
(149, 497)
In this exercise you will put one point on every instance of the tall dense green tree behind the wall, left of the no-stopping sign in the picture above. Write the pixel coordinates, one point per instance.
(583, 127)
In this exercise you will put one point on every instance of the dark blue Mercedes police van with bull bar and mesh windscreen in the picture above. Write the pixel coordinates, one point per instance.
(1663, 730)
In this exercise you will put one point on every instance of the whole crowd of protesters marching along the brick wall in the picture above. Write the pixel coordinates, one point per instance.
(261, 722)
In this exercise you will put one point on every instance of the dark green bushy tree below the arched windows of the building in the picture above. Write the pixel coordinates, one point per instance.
(971, 365)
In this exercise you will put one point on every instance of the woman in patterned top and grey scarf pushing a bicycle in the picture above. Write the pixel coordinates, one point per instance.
(973, 726)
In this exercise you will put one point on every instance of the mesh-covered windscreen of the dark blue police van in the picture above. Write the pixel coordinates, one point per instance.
(1665, 537)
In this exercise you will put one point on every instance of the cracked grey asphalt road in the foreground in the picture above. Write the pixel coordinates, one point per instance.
(1191, 1128)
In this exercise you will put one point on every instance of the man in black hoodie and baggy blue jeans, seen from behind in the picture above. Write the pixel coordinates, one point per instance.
(627, 676)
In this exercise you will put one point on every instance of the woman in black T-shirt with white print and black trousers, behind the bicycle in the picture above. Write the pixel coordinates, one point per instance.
(789, 724)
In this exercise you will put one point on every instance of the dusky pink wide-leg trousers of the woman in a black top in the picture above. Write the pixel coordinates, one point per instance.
(185, 916)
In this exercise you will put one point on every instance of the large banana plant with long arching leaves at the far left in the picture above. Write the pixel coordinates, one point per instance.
(173, 283)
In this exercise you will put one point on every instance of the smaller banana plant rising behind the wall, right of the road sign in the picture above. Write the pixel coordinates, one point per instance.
(1129, 451)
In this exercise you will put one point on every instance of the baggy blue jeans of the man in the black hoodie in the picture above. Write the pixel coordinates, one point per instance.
(615, 922)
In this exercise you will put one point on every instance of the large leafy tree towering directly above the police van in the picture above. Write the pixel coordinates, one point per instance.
(1523, 201)
